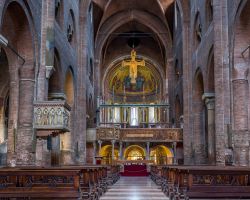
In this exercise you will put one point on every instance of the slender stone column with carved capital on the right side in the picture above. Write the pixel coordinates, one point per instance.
(210, 105)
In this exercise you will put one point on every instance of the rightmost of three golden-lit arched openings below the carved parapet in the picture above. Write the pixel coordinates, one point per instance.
(161, 155)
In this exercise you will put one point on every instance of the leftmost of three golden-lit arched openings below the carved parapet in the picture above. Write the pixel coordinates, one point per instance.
(106, 154)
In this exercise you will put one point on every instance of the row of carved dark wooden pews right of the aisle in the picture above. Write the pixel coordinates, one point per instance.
(190, 182)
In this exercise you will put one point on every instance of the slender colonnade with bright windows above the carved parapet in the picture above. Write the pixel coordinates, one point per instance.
(134, 115)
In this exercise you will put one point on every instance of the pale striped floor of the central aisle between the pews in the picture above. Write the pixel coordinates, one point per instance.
(134, 188)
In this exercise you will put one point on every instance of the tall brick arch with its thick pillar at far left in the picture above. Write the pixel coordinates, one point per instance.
(18, 27)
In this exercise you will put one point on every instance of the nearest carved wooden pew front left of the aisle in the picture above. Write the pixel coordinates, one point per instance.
(40, 184)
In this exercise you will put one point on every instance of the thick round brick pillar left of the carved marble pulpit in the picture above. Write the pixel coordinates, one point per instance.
(26, 137)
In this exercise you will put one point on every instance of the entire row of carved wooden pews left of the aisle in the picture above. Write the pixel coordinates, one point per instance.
(66, 182)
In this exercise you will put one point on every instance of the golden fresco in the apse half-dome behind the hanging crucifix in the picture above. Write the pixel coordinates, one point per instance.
(120, 81)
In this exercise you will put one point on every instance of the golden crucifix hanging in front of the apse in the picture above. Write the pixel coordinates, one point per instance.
(133, 64)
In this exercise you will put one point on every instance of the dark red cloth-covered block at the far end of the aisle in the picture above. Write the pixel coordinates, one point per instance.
(135, 170)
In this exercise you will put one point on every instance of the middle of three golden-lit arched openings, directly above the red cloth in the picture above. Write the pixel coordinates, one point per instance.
(134, 152)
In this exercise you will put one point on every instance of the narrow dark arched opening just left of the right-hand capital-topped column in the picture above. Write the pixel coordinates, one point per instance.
(199, 119)
